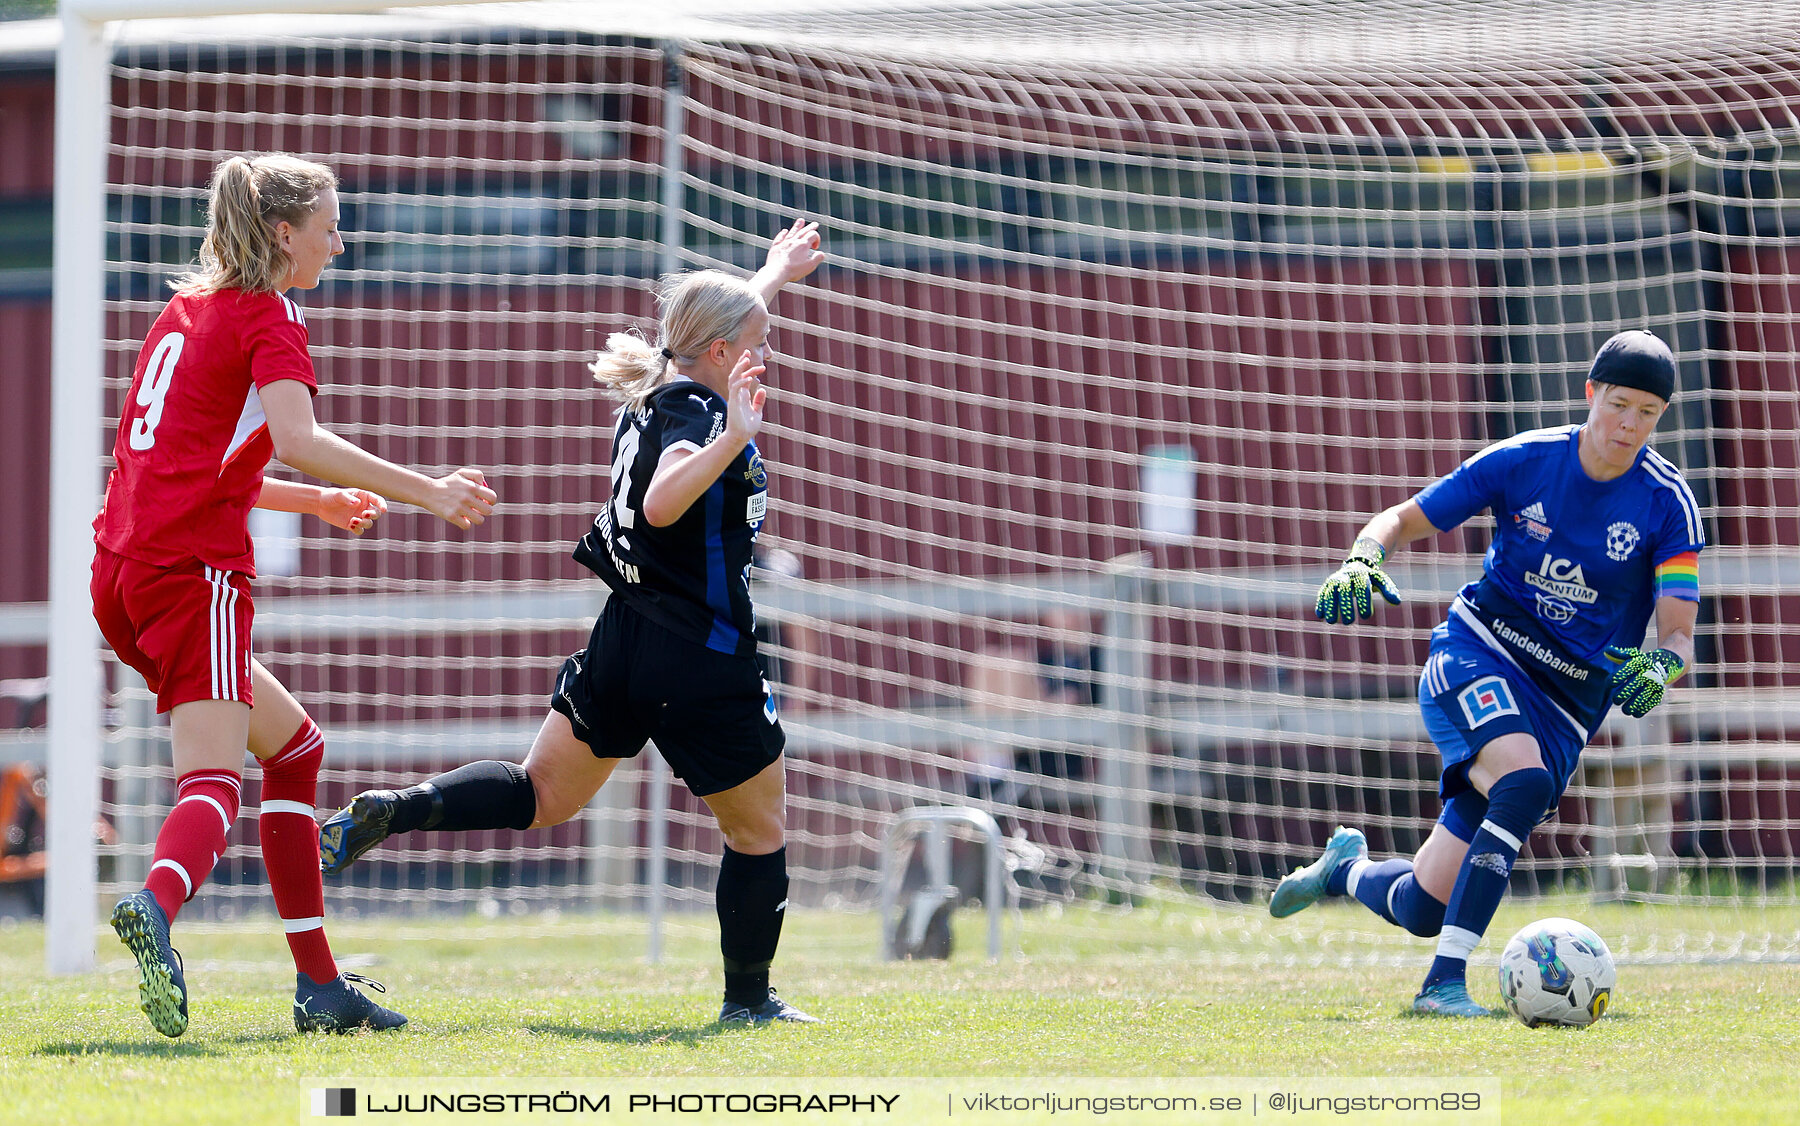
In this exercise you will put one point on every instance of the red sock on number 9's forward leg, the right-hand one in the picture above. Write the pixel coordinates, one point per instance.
(291, 850)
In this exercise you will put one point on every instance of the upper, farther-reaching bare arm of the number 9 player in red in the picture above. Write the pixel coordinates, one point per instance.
(462, 497)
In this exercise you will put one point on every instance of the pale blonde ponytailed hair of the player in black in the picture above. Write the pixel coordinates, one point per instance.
(697, 310)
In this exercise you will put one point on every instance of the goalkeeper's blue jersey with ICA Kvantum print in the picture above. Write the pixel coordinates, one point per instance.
(1572, 567)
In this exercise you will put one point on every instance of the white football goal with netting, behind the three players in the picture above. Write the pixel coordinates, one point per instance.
(1111, 359)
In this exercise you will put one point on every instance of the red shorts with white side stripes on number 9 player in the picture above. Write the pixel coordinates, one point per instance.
(184, 629)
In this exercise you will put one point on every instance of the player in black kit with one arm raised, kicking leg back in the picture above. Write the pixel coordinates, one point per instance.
(674, 652)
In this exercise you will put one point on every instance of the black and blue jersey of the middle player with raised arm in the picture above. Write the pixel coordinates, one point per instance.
(692, 576)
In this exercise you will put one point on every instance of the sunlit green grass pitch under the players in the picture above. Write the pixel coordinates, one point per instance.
(1164, 992)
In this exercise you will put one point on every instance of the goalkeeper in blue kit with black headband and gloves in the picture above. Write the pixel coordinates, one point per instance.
(1596, 533)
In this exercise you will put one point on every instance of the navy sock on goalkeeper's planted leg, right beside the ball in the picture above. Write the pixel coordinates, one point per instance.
(1515, 805)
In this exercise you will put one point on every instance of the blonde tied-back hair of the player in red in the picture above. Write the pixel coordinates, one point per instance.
(247, 199)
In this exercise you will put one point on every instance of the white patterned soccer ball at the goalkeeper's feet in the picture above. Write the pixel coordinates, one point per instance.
(1558, 972)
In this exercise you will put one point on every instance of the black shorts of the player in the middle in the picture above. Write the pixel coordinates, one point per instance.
(710, 713)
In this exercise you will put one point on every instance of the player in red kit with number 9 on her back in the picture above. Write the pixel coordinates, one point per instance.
(222, 384)
